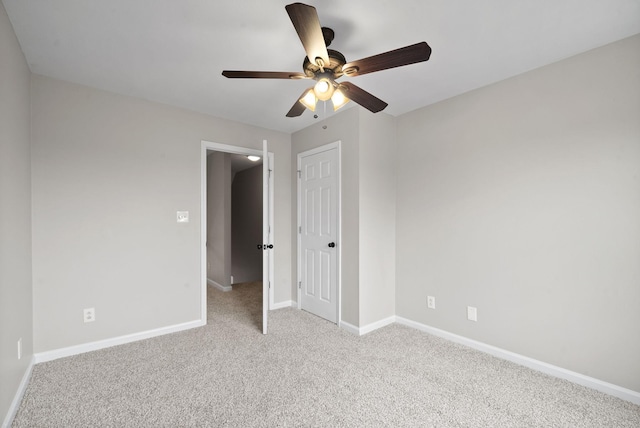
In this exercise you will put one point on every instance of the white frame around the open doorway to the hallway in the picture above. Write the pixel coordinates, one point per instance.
(226, 148)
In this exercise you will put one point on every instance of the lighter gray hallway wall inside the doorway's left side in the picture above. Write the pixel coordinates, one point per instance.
(219, 218)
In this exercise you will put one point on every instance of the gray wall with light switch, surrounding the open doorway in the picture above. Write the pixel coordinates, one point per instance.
(109, 174)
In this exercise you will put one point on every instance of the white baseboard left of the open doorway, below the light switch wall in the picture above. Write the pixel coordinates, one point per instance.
(42, 357)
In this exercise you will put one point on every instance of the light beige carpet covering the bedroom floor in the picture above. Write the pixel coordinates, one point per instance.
(305, 373)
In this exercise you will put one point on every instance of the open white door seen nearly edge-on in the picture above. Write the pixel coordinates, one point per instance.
(266, 237)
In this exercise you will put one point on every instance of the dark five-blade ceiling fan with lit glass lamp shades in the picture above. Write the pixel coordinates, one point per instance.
(325, 66)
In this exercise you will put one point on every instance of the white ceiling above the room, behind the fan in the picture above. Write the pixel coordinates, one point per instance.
(173, 51)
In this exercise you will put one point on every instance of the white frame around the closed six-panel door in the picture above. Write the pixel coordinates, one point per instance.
(338, 146)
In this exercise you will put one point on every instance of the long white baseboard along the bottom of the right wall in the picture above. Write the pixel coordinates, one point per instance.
(559, 372)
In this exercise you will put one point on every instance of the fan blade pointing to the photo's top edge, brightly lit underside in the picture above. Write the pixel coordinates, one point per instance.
(307, 25)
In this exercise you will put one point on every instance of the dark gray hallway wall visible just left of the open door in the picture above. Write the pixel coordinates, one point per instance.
(246, 225)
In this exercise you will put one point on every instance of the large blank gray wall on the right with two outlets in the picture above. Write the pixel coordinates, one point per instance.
(523, 199)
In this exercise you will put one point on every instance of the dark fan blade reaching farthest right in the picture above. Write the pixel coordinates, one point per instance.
(396, 58)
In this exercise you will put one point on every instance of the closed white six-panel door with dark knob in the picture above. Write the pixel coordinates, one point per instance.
(318, 187)
